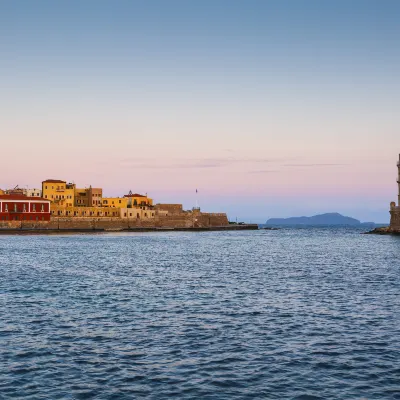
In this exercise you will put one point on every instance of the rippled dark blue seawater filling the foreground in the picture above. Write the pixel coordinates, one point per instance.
(289, 314)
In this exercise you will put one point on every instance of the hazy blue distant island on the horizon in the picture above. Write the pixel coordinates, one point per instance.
(317, 220)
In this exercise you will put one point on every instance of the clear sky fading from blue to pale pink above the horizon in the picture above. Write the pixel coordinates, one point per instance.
(268, 108)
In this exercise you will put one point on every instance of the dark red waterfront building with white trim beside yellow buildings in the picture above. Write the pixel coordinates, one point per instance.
(23, 208)
